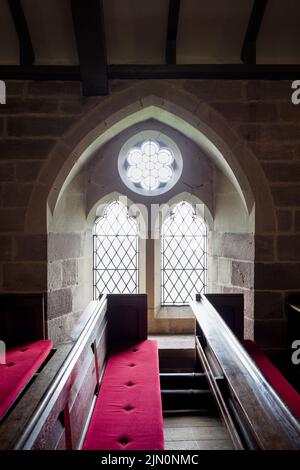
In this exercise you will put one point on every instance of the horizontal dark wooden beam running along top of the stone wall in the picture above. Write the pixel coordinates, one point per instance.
(144, 72)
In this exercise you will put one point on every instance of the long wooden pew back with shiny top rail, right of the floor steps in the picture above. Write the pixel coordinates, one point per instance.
(267, 420)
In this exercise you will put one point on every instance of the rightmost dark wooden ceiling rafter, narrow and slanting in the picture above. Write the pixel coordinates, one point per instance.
(248, 54)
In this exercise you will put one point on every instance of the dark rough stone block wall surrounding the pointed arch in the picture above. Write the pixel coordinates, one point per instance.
(261, 115)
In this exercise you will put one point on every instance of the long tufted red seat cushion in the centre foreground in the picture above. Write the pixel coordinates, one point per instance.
(128, 411)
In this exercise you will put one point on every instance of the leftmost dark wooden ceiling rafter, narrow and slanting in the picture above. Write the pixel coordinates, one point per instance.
(25, 45)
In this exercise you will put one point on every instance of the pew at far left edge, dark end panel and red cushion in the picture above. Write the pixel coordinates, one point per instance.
(23, 335)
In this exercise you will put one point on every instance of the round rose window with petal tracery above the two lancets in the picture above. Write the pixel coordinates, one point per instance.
(151, 166)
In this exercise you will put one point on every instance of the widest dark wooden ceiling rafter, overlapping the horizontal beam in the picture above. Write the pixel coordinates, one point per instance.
(90, 38)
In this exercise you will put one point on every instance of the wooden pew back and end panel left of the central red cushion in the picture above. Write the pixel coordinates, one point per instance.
(56, 409)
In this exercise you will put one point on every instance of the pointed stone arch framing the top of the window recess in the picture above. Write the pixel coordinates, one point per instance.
(178, 109)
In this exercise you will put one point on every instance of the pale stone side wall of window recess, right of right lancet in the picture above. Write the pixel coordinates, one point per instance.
(232, 248)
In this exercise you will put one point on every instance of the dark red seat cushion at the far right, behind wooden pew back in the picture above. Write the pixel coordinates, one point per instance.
(286, 392)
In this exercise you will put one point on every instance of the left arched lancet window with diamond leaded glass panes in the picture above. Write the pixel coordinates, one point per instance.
(116, 241)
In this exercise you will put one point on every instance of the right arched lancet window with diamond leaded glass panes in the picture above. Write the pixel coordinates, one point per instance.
(183, 256)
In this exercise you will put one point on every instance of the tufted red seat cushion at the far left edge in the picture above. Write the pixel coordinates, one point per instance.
(21, 364)
